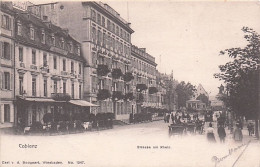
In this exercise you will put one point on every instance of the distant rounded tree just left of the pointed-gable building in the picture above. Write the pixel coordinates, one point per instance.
(184, 91)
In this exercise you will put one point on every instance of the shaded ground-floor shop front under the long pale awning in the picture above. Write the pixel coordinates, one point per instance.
(42, 111)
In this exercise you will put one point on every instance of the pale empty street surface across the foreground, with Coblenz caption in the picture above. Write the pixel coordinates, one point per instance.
(146, 143)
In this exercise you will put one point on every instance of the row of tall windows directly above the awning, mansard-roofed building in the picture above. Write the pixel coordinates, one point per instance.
(45, 87)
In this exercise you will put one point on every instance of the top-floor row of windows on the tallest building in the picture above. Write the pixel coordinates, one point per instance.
(110, 25)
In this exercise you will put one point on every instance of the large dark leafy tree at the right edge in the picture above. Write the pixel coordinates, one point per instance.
(241, 77)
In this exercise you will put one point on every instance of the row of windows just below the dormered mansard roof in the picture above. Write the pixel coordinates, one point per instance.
(45, 61)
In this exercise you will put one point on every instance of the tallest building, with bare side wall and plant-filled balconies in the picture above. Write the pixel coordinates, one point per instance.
(106, 45)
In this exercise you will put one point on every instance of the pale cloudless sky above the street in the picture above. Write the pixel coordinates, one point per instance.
(186, 37)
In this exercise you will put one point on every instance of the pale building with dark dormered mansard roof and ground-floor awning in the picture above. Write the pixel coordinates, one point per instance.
(48, 69)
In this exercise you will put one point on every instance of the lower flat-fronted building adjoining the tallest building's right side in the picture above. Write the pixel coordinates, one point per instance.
(144, 71)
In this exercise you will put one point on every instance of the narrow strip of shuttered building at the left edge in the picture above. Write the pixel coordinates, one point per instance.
(6, 65)
